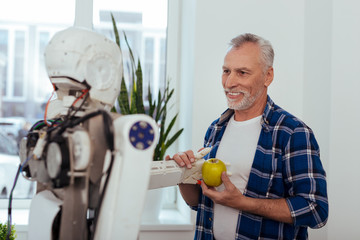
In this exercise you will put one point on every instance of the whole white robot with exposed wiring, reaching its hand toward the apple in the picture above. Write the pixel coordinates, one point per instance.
(92, 167)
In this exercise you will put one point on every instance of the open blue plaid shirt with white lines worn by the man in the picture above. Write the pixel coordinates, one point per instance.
(286, 165)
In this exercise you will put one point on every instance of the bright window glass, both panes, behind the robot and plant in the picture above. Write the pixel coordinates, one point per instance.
(24, 85)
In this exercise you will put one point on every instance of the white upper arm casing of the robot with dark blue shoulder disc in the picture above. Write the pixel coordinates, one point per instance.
(124, 200)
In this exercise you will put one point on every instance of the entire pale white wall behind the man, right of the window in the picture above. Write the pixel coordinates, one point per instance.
(317, 70)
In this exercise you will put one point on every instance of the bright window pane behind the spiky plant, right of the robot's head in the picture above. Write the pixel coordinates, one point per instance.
(145, 23)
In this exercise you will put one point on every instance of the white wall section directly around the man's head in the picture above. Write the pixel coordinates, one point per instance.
(219, 21)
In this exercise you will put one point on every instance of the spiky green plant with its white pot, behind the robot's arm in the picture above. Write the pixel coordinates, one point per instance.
(132, 102)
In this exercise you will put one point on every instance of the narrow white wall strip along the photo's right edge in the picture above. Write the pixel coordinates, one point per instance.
(344, 190)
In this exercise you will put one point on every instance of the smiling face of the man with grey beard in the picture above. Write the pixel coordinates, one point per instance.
(243, 78)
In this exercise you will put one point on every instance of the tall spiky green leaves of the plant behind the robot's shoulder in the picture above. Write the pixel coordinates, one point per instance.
(134, 103)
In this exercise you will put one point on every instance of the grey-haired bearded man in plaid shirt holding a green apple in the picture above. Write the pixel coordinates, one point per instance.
(278, 186)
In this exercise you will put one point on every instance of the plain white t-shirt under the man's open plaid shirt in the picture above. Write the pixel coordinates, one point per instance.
(237, 147)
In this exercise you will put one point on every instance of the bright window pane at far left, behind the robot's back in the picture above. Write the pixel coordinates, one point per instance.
(25, 29)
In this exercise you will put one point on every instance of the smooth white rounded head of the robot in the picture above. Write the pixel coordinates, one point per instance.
(78, 58)
